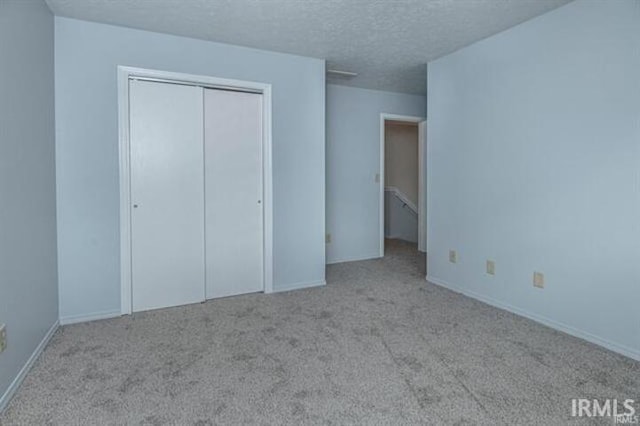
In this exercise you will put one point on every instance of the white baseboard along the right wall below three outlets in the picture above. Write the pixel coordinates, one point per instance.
(615, 347)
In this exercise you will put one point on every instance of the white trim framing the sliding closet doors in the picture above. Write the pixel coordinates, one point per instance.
(126, 73)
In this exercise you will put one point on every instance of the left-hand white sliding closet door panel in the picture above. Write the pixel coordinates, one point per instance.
(167, 193)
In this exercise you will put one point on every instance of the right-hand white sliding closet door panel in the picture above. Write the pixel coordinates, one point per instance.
(233, 187)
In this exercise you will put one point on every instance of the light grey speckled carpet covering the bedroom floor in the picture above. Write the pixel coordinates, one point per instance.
(377, 345)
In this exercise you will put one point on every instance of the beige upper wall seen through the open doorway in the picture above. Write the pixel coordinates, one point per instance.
(401, 158)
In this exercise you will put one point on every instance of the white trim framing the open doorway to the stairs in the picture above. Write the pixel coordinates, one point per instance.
(408, 119)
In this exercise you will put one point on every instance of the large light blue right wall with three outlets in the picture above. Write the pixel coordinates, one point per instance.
(534, 161)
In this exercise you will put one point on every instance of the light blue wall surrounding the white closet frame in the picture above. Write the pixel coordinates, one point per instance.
(87, 55)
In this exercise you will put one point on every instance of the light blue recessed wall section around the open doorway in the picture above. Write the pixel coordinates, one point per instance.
(353, 159)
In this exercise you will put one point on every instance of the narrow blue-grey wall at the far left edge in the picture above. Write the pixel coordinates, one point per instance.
(28, 274)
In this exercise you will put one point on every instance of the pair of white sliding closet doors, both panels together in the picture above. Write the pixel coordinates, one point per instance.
(196, 170)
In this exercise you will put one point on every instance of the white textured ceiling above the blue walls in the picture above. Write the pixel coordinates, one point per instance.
(387, 42)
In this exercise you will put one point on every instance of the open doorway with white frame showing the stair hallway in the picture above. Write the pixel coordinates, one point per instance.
(402, 209)
